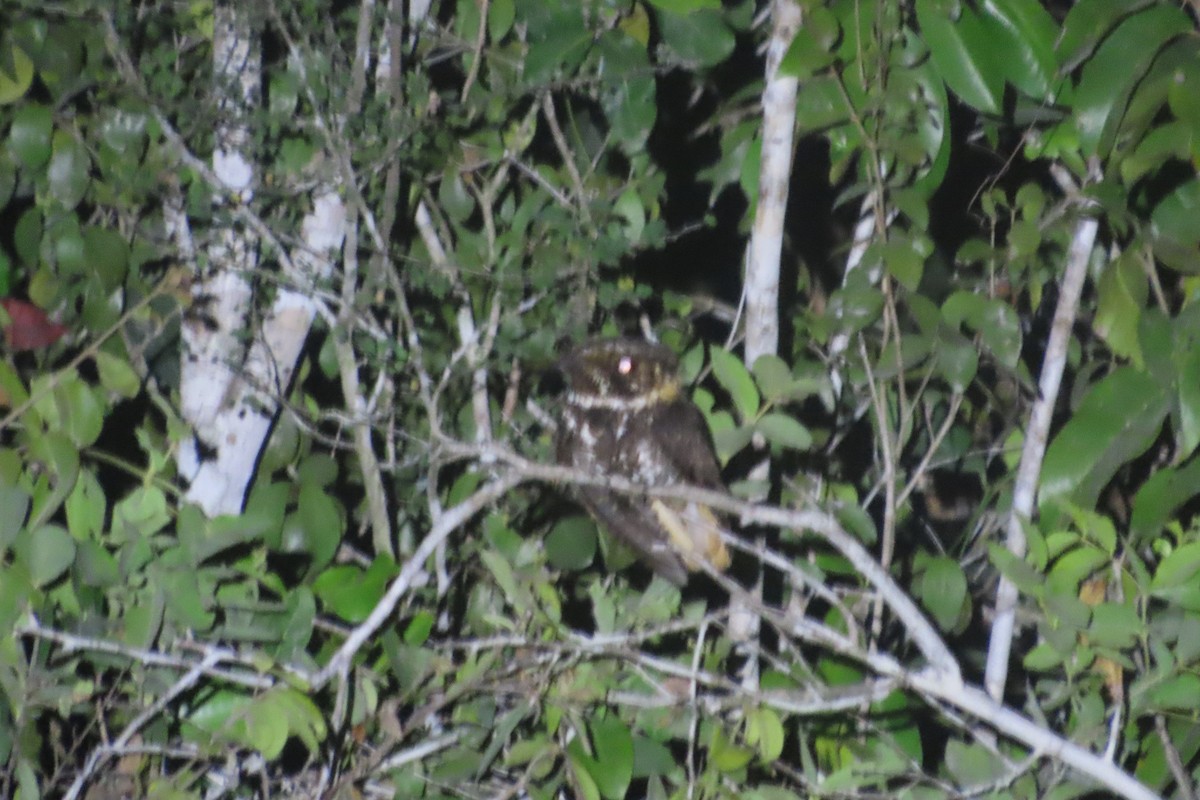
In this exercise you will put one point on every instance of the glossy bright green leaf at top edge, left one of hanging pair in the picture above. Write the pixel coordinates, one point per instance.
(964, 53)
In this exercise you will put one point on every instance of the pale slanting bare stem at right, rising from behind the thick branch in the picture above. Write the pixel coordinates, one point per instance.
(1036, 437)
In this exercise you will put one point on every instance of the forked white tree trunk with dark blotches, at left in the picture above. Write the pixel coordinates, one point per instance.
(230, 392)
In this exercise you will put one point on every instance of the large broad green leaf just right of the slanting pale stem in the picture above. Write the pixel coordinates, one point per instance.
(1117, 422)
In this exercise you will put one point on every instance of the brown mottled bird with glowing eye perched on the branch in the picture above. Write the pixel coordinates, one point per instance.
(625, 414)
